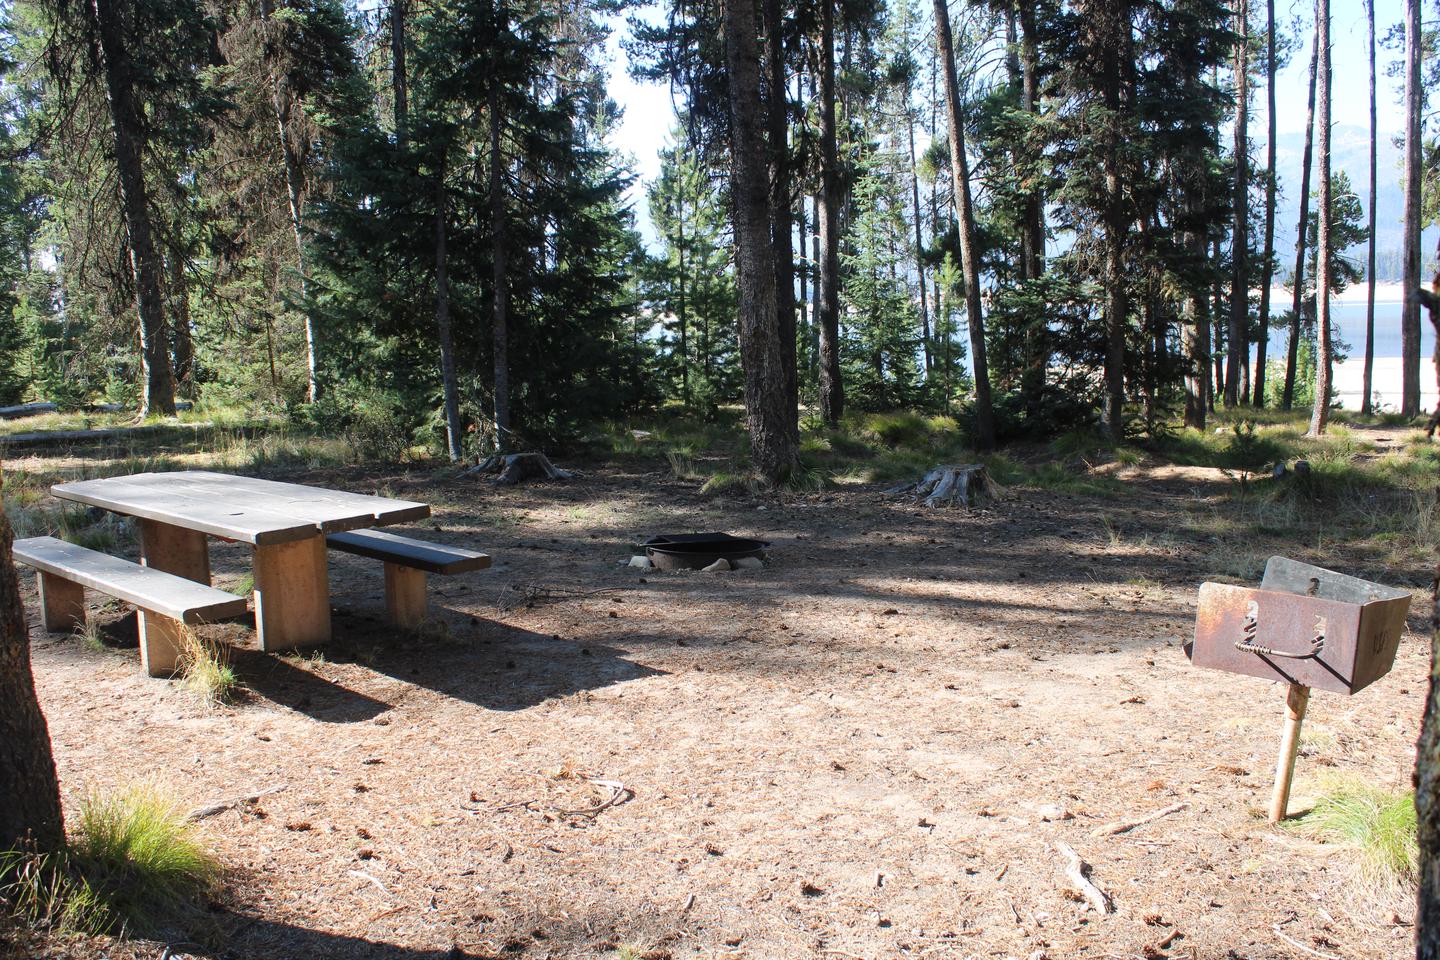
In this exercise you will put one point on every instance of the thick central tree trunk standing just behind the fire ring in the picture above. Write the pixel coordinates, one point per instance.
(770, 412)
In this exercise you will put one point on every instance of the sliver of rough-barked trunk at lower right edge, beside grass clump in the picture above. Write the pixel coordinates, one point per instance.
(1428, 798)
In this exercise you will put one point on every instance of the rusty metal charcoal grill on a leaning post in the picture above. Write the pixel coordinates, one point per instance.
(1305, 627)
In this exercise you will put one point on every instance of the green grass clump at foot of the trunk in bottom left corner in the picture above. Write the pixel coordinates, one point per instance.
(132, 861)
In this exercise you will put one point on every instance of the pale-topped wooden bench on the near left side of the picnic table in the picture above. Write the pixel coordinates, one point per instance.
(163, 601)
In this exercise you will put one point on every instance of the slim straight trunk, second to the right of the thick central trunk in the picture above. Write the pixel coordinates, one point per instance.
(832, 386)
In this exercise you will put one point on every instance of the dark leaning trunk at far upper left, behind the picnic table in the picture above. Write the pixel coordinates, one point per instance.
(112, 51)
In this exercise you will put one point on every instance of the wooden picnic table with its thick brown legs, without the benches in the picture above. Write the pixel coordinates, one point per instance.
(284, 523)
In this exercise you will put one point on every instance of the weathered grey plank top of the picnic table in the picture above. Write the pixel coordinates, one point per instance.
(244, 509)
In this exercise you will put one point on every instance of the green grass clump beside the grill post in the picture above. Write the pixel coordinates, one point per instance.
(1379, 827)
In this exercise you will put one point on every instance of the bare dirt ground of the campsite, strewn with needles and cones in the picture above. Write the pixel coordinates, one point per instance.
(869, 749)
